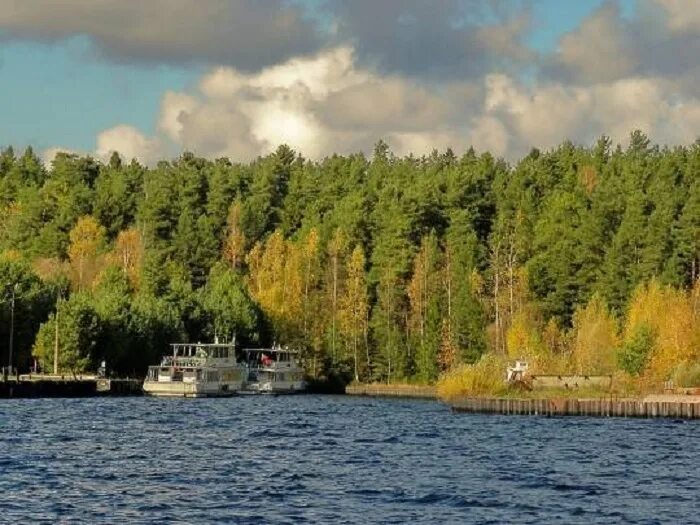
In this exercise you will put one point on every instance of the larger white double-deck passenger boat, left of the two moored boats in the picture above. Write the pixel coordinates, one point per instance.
(197, 370)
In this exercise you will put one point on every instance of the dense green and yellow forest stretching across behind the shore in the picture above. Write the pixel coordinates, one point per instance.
(387, 268)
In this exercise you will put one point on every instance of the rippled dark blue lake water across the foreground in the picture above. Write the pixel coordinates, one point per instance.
(327, 459)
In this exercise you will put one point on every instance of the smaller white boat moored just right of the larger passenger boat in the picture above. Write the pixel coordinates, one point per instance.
(273, 370)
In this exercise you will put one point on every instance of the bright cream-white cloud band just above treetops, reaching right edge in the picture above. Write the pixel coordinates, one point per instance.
(329, 103)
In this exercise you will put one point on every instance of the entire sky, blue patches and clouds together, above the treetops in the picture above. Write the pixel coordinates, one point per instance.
(70, 71)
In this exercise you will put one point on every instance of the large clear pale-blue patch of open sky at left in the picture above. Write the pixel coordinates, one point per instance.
(65, 94)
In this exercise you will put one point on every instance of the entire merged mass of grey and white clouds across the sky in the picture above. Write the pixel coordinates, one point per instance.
(420, 75)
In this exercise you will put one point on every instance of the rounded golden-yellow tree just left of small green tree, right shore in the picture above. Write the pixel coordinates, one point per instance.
(594, 338)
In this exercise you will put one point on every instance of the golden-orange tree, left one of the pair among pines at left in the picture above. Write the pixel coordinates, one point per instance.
(86, 242)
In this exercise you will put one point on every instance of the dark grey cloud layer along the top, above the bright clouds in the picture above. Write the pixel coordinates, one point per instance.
(447, 38)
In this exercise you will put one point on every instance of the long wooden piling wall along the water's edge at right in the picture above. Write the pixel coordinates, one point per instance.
(676, 407)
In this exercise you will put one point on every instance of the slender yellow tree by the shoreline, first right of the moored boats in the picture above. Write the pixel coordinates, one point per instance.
(354, 306)
